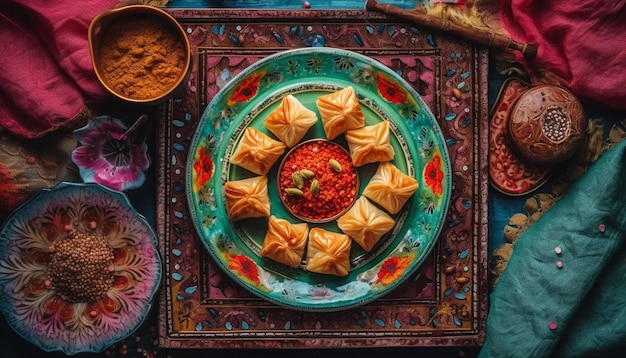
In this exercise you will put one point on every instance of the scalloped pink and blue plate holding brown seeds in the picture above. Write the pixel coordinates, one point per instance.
(79, 268)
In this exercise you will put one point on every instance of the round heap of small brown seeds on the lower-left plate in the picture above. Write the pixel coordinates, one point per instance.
(81, 267)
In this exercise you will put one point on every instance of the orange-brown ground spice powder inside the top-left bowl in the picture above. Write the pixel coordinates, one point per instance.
(141, 57)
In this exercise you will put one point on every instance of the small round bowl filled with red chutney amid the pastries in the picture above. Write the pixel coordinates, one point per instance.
(323, 172)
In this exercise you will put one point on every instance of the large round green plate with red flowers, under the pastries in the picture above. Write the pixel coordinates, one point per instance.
(308, 74)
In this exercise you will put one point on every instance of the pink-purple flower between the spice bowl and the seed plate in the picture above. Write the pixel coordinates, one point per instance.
(108, 155)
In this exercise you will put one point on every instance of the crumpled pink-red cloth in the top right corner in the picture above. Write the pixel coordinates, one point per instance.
(583, 42)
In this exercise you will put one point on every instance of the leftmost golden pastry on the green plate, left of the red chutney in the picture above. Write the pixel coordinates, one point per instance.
(247, 198)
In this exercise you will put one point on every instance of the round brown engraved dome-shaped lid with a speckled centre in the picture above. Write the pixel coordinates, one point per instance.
(547, 124)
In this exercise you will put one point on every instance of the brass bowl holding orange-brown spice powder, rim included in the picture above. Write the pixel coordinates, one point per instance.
(141, 68)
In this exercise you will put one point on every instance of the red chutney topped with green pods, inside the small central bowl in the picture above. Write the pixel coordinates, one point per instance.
(338, 185)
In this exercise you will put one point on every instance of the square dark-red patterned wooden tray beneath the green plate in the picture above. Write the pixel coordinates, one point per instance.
(445, 303)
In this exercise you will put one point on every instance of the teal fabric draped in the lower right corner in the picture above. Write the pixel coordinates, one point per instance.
(586, 297)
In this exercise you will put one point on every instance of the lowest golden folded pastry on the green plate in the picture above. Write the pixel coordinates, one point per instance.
(328, 252)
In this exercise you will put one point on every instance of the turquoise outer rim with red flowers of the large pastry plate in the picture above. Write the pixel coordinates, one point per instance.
(220, 238)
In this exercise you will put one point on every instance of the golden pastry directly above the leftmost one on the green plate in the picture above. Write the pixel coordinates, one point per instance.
(257, 152)
